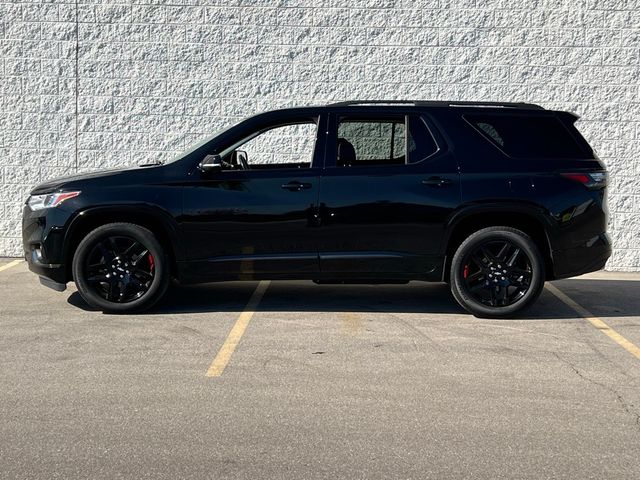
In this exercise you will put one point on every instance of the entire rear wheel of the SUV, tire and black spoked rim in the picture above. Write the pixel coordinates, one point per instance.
(485, 290)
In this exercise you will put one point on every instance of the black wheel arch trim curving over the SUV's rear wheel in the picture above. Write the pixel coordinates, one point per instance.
(529, 219)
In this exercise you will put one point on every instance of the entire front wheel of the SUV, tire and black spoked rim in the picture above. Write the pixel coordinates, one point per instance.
(121, 268)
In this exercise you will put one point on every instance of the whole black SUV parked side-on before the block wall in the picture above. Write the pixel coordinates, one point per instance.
(493, 198)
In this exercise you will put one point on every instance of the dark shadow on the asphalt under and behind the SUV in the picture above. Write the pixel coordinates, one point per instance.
(609, 298)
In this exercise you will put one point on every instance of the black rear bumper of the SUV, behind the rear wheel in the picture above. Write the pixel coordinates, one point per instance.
(588, 257)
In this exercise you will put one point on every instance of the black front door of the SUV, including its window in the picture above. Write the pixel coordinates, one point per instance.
(256, 218)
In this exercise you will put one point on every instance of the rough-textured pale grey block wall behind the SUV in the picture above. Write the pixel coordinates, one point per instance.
(98, 84)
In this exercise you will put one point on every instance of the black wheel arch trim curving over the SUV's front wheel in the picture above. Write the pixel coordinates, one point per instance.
(157, 221)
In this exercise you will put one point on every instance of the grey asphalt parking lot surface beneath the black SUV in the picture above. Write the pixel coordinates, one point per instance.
(321, 381)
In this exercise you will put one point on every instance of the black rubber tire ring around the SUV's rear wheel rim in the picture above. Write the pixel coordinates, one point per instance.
(519, 238)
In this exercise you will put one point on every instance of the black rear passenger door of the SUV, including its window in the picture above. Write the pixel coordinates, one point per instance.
(389, 185)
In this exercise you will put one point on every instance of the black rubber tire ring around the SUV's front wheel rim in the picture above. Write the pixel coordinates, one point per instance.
(138, 233)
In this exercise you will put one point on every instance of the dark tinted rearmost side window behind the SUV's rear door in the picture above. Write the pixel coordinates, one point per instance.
(526, 136)
